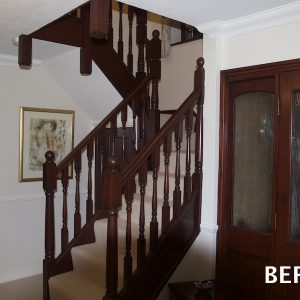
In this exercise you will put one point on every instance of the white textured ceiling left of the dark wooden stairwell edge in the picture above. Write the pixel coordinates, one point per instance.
(26, 16)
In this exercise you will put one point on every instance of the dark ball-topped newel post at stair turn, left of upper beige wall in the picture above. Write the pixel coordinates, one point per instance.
(155, 69)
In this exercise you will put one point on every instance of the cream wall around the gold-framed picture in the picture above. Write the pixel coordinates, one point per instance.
(22, 205)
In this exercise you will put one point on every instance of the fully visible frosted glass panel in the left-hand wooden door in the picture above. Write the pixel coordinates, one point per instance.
(253, 161)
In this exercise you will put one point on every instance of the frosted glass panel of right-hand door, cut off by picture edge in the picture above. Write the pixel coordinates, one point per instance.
(295, 206)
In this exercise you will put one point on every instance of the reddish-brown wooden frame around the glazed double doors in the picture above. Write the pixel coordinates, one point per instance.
(225, 159)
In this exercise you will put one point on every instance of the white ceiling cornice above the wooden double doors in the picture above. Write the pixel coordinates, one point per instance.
(269, 18)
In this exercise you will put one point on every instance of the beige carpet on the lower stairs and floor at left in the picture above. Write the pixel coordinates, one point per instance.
(87, 280)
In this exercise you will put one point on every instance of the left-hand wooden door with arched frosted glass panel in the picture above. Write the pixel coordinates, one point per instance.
(251, 189)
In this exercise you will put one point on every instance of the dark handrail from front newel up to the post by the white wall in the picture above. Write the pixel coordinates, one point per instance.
(153, 143)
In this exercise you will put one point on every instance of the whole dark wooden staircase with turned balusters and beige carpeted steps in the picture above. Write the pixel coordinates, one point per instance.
(137, 227)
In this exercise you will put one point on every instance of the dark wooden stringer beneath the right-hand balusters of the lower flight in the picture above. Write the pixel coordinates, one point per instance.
(147, 282)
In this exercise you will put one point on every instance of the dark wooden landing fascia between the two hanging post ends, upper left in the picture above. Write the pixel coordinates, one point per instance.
(67, 30)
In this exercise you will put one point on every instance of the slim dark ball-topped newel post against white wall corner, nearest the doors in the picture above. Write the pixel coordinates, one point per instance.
(198, 174)
